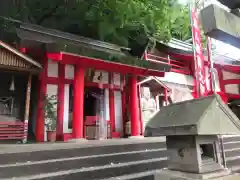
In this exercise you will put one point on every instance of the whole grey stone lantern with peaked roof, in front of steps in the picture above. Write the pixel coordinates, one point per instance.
(191, 129)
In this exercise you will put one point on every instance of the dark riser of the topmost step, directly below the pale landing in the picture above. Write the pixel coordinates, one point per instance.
(9, 158)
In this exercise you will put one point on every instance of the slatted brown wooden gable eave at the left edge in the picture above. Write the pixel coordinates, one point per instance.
(12, 59)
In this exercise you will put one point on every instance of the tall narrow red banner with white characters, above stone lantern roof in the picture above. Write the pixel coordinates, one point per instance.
(198, 53)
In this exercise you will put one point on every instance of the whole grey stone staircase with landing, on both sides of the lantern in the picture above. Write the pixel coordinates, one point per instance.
(127, 159)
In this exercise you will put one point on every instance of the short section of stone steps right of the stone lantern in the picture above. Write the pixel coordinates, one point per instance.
(232, 152)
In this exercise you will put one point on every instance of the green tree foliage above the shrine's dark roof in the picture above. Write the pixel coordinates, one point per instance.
(123, 22)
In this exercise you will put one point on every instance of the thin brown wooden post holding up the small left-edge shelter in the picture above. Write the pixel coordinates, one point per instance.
(27, 106)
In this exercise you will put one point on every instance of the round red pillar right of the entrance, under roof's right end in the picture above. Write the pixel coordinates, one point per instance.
(134, 106)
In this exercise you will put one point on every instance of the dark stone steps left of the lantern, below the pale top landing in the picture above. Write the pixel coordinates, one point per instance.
(133, 160)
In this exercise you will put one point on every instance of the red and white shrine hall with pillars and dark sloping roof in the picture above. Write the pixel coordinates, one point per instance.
(96, 84)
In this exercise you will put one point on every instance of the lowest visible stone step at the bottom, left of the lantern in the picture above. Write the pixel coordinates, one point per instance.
(96, 173)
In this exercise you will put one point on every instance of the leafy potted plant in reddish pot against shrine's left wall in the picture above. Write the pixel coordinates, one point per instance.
(51, 117)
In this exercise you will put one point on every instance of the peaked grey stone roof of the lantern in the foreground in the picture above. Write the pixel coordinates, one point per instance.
(205, 116)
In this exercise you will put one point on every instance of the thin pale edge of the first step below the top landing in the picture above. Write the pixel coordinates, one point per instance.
(78, 158)
